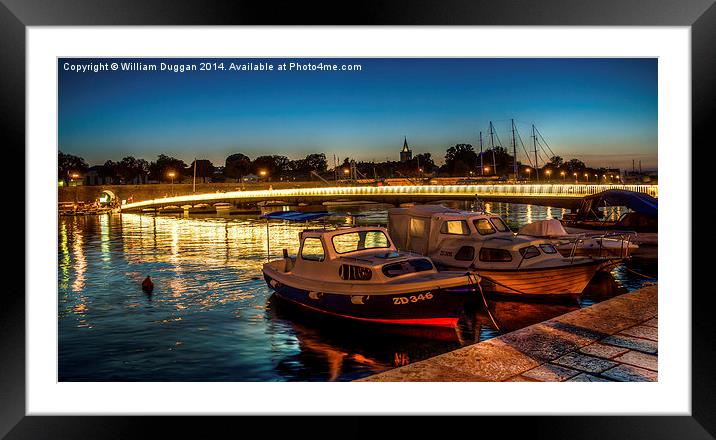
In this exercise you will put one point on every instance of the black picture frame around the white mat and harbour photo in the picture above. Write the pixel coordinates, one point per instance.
(16, 15)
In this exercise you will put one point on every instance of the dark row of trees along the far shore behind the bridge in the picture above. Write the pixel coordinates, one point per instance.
(460, 160)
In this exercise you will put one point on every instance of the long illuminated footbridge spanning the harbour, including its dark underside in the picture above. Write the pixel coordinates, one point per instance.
(563, 196)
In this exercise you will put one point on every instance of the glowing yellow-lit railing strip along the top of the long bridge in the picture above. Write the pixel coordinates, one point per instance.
(544, 190)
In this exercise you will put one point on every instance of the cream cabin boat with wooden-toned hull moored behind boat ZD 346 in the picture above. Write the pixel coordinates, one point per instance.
(482, 242)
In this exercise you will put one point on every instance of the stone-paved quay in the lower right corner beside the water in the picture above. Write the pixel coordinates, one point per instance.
(615, 340)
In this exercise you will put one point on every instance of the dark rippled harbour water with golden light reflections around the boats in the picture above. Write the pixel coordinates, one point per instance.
(212, 318)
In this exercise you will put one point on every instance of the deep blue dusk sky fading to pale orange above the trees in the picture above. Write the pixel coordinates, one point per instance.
(602, 111)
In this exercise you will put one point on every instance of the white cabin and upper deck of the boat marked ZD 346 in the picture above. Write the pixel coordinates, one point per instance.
(356, 254)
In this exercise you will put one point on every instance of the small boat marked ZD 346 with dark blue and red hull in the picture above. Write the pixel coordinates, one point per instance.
(357, 273)
